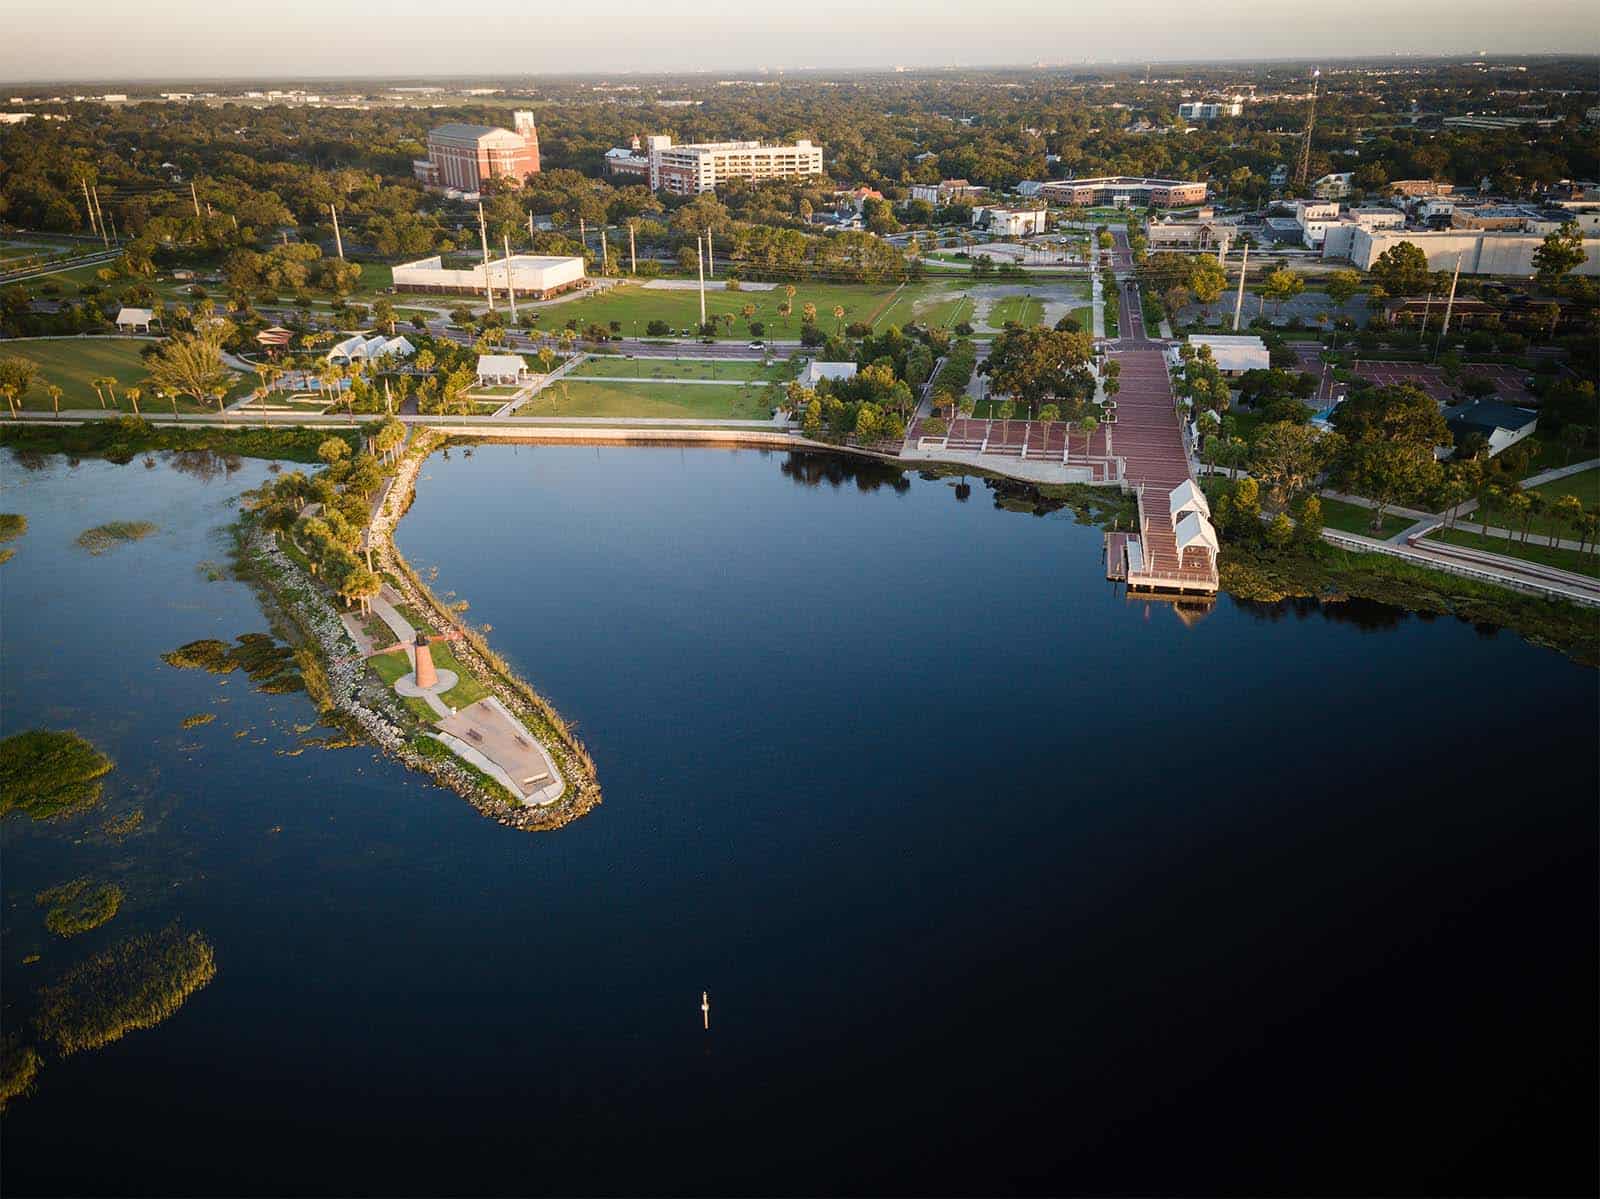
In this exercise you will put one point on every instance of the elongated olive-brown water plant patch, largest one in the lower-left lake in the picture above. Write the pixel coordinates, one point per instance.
(137, 984)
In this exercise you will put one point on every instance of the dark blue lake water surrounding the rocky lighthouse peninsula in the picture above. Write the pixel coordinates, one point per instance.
(998, 881)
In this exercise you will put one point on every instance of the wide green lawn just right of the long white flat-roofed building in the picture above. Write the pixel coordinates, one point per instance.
(638, 307)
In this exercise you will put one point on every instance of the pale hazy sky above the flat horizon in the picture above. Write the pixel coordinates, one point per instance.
(222, 39)
